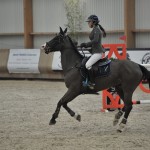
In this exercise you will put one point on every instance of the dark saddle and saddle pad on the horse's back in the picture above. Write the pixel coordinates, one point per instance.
(99, 69)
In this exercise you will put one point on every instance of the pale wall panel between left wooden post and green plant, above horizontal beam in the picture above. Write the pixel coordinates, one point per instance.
(48, 15)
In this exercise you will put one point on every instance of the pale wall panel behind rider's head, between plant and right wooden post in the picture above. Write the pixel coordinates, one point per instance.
(110, 12)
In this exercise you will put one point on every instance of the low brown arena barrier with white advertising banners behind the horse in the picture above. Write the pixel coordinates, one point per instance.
(48, 66)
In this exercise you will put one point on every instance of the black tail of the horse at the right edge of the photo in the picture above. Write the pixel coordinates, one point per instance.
(146, 74)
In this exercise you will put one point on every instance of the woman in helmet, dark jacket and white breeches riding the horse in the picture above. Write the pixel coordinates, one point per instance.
(95, 36)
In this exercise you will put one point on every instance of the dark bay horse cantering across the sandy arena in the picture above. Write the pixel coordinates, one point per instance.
(125, 77)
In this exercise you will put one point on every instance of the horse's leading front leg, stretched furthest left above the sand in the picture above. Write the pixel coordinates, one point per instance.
(70, 95)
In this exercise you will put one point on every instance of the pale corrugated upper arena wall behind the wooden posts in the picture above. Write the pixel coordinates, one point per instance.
(49, 15)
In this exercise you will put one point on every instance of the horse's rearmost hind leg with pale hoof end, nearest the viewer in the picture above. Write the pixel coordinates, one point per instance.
(127, 109)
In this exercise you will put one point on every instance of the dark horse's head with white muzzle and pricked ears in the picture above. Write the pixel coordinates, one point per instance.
(56, 43)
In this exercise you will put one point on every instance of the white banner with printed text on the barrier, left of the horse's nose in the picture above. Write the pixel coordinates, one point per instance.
(23, 61)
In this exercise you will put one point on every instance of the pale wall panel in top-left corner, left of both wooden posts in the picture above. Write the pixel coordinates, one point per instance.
(11, 16)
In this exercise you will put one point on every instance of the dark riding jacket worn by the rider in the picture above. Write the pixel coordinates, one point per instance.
(96, 42)
